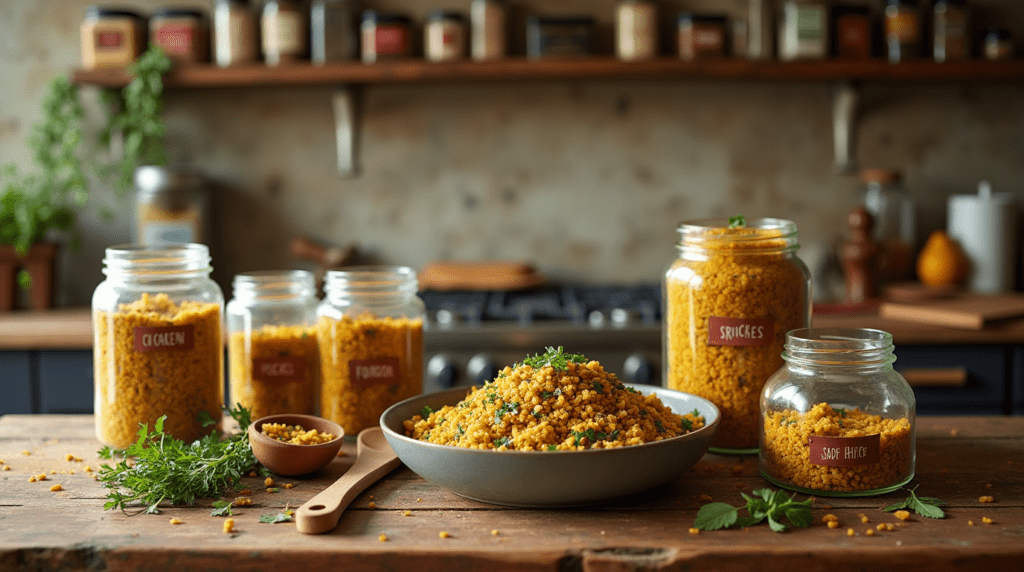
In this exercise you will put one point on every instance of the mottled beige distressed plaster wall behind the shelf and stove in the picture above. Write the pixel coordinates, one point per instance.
(587, 181)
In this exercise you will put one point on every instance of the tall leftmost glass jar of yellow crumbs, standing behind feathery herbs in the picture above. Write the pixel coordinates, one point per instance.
(158, 347)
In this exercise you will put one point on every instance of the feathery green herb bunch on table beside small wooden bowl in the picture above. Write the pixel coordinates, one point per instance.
(166, 470)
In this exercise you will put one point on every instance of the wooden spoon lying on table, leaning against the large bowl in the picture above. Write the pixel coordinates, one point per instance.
(375, 460)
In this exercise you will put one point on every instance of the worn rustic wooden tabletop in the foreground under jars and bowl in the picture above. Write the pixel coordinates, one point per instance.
(960, 460)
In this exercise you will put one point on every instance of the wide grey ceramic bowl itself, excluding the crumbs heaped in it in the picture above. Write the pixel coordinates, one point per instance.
(545, 479)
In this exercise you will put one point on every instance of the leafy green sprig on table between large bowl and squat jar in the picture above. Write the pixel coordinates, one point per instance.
(765, 504)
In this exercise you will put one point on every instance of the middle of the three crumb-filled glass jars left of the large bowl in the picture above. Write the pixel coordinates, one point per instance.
(274, 365)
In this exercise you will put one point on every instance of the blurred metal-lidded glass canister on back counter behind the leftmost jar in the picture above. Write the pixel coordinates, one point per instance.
(170, 207)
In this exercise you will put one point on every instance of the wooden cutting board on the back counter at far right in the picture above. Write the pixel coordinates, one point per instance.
(970, 312)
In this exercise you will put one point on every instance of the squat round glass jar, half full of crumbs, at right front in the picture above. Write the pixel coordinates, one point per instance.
(838, 420)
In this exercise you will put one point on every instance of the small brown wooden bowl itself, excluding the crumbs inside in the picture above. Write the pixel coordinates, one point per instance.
(288, 460)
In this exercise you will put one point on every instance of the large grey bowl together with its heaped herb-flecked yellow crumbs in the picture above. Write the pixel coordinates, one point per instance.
(553, 433)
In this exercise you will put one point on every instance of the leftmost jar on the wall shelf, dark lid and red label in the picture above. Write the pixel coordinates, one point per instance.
(111, 38)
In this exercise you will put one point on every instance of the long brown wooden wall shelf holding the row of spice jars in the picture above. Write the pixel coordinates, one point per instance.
(418, 71)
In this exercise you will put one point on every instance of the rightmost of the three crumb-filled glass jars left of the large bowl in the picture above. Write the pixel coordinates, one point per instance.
(370, 332)
